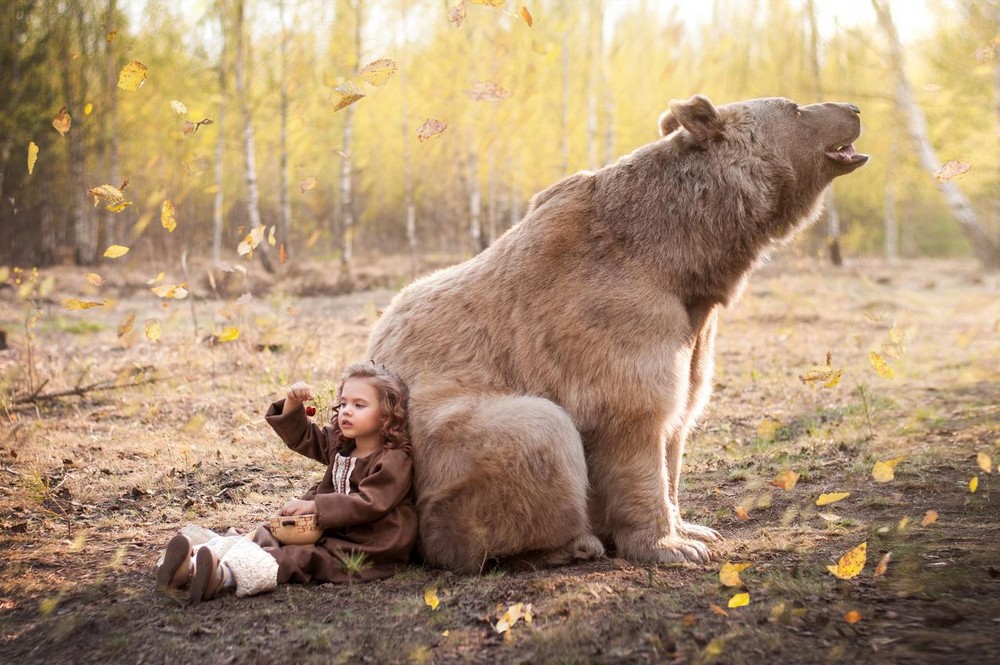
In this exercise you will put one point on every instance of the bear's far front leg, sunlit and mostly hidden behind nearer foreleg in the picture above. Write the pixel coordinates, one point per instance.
(699, 392)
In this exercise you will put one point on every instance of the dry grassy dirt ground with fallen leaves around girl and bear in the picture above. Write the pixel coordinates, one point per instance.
(92, 486)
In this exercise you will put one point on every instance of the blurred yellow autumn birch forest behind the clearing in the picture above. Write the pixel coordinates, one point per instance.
(234, 124)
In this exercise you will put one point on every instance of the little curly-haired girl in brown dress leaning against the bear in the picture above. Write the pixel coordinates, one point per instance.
(363, 503)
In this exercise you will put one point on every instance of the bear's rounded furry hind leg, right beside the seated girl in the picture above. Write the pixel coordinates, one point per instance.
(498, 476)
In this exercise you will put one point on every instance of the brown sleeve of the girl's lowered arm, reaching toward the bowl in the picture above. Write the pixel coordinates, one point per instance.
(378, 493)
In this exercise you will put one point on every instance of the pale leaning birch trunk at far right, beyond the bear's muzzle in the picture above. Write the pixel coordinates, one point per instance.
(984, 247)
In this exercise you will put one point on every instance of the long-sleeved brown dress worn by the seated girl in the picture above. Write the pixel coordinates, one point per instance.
(364, 504)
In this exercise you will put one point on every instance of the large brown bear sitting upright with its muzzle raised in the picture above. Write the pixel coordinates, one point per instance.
(555, 376)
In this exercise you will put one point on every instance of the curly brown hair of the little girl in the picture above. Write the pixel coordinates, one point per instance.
(393, 405)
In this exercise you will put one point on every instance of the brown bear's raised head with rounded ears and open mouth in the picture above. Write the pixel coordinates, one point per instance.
(815, 141)
